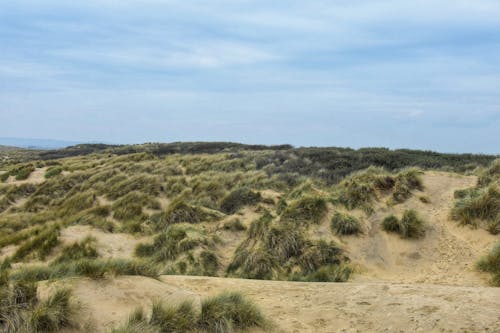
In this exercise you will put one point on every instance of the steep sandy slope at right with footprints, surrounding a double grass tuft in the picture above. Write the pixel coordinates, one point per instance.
(447, 253)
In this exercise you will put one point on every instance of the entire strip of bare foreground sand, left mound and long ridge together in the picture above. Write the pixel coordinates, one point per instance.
(301, 307)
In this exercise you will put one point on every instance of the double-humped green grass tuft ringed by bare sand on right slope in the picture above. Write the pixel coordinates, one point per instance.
(409, 226)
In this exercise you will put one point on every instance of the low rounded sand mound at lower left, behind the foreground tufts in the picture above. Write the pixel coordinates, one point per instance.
(108, 303)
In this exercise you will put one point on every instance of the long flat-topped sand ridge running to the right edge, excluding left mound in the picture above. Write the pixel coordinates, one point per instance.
(361, 307)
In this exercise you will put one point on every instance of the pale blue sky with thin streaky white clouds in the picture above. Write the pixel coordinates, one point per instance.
(421, 74)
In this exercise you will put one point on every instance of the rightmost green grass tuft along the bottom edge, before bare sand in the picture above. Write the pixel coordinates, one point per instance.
(228, 312)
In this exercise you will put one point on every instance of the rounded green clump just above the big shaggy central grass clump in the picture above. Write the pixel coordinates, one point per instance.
(306, 209)
